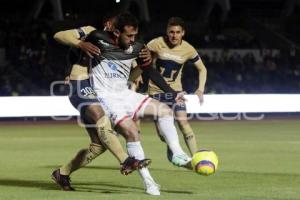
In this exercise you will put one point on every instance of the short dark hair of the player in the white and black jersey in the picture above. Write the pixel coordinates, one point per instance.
(125, 19)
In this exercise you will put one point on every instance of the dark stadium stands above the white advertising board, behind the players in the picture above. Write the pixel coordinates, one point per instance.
(264, 33)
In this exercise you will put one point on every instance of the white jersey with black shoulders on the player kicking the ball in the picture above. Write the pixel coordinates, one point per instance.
(110, 70)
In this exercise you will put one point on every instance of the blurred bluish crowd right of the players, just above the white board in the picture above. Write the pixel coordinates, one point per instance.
(237, 73)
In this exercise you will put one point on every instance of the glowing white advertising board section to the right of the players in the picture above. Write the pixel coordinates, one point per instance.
(244, 103)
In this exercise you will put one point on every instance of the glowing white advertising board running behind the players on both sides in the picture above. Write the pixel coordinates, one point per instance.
(40, 106)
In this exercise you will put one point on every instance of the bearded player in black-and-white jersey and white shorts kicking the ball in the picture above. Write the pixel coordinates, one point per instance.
(110, 72)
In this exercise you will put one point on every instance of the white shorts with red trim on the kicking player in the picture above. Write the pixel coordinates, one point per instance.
(122, 105)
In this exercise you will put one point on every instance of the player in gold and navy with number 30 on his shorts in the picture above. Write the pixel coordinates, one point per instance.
(83, 98)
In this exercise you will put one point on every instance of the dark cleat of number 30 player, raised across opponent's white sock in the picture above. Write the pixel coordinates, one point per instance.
(131, 164)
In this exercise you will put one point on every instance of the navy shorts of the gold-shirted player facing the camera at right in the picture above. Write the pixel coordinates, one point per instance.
(169, 99)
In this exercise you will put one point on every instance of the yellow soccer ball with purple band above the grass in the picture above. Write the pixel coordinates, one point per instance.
(205, 162)
